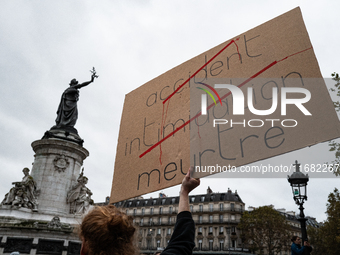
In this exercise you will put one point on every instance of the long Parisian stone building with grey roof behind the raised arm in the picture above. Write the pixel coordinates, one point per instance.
(216, 216)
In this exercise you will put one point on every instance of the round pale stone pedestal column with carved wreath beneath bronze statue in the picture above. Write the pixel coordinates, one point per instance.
(55, 169)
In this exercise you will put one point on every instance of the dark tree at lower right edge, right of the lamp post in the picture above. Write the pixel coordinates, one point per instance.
(326, 239)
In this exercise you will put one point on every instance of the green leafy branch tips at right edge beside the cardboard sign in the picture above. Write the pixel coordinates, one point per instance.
(335, 146)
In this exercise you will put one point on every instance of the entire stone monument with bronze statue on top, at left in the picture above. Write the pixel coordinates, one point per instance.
(41, 212)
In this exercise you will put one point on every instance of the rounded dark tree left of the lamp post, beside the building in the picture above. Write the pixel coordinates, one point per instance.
(265, 230)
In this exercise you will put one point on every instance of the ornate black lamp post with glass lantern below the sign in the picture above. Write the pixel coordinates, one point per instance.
(298, 182)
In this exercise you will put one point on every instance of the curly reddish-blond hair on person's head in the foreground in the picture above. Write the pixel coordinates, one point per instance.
(108, 231)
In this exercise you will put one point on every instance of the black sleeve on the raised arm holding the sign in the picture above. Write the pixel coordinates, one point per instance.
(182, 239)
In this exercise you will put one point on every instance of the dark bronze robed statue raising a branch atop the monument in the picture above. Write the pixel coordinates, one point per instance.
(67, 113)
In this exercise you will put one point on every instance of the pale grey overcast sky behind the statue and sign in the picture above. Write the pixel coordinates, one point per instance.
(44, 44)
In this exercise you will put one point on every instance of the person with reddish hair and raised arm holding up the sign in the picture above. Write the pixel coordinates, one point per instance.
(106, 230)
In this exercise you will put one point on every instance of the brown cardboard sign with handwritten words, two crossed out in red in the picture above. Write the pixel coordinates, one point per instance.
(163, 130)
